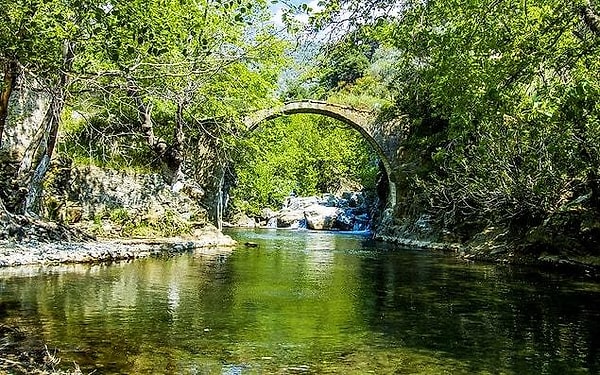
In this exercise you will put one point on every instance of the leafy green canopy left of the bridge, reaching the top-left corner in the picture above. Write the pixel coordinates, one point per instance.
(212, 59)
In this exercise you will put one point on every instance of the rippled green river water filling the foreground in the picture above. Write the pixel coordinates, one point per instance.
(306, 302)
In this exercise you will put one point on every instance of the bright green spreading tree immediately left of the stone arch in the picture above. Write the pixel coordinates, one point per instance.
(173, 65)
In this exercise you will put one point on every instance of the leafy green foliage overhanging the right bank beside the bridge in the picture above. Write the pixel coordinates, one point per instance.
(504, 98)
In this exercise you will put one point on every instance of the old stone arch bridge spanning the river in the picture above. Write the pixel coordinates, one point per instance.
(367, 123)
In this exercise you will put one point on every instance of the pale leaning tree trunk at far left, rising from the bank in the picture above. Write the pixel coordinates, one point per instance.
(37, 157)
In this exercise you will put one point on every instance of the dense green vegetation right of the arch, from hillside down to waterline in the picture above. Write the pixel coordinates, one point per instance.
(502, 97)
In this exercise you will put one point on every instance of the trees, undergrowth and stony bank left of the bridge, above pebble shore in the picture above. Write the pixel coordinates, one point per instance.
(126, 86)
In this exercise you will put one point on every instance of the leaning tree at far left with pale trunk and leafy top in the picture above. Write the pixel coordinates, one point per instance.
(37, 38)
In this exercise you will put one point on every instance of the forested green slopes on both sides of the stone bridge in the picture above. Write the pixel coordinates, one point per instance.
(501, 100)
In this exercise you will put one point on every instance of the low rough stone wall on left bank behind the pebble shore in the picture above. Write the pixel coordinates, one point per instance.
(89, 193)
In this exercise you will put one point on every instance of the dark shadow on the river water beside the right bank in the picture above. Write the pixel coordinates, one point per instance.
(494, 318)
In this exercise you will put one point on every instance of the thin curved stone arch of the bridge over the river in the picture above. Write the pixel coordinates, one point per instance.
(359, 120)
